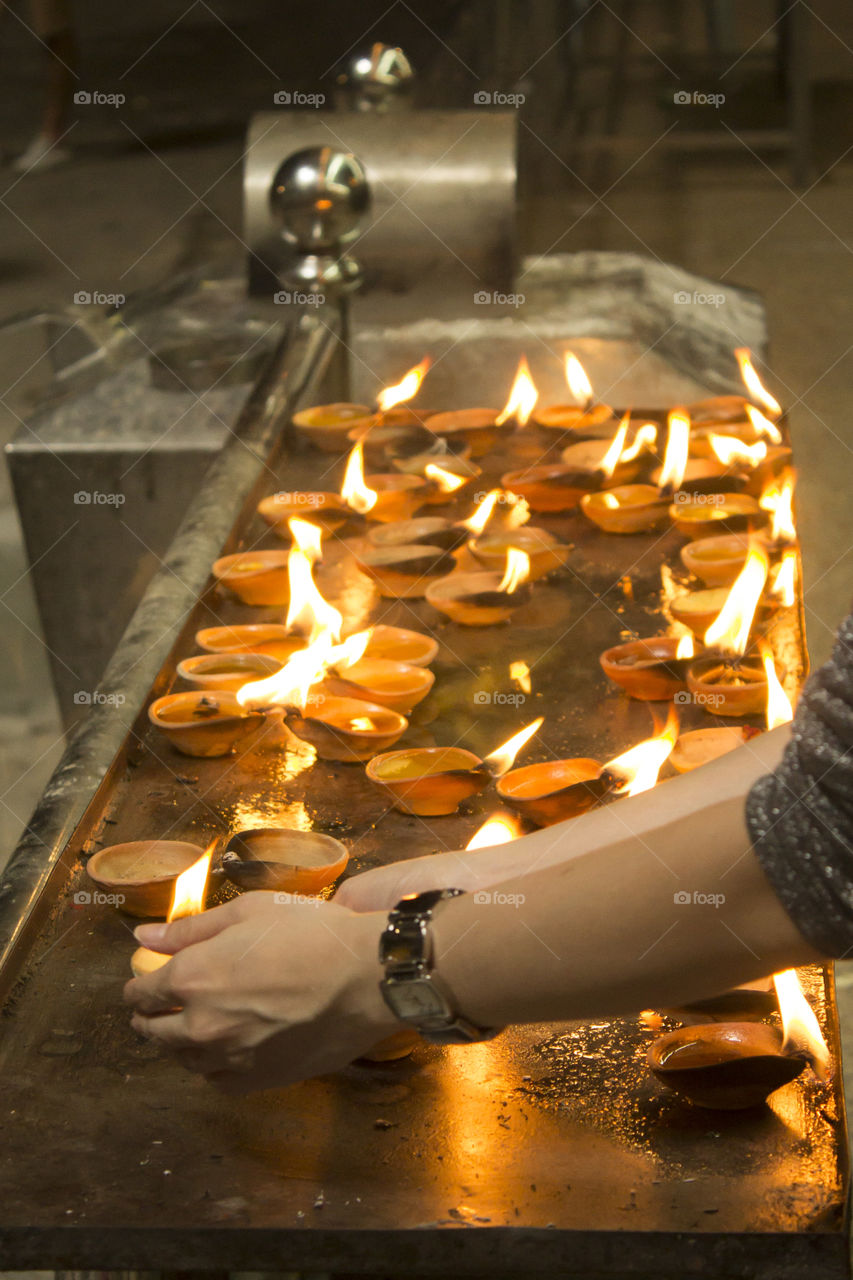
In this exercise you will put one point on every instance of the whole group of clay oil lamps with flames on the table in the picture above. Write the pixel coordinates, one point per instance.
(724, 482)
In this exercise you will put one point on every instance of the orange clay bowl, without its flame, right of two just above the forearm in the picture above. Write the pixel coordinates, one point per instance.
(556, 790)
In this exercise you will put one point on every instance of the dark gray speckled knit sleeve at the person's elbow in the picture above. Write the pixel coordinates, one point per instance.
(801, 816)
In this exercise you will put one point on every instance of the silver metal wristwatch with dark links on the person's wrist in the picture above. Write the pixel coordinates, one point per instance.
(409, 986)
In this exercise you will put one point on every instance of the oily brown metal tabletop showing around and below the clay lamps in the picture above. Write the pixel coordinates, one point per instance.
(550, 1149)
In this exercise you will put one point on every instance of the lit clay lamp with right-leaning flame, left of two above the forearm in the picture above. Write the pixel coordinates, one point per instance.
(432, 781)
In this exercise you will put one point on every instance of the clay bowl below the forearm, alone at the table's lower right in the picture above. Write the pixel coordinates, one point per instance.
(726, 1067)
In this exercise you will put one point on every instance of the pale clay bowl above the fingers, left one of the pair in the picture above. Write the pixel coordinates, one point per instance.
(140, 876)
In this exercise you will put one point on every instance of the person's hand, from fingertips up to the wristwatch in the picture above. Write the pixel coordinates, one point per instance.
(262, 993)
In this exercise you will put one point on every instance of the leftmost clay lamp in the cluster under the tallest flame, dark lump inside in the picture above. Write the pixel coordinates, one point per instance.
(203, 723)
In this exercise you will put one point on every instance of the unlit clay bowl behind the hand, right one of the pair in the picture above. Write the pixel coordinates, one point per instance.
(277, 858)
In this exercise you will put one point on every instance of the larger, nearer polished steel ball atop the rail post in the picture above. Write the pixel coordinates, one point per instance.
(320, 198)
